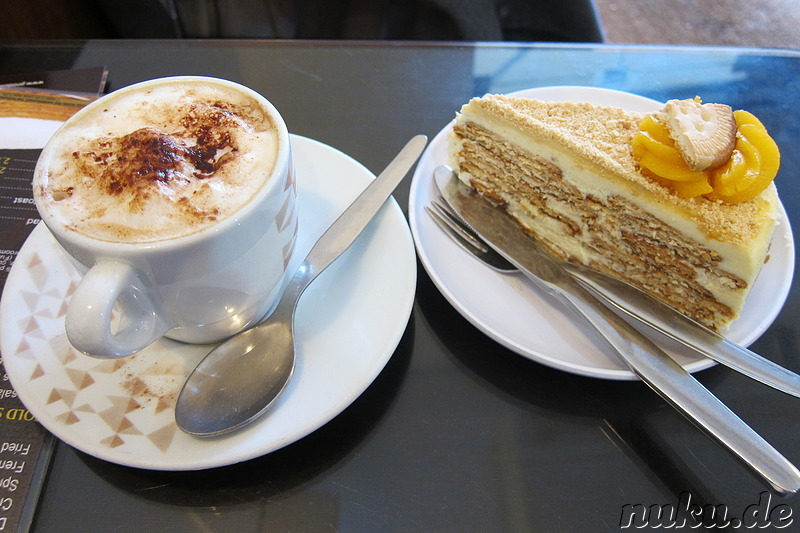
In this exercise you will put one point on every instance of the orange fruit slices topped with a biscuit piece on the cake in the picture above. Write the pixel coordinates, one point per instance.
(706, 150)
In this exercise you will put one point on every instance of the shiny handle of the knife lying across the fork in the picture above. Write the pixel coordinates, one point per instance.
(679, 388)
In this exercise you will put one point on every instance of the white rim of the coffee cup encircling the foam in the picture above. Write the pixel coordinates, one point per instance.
(283, 165)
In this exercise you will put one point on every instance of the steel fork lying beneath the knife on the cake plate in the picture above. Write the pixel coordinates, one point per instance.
(652, 317)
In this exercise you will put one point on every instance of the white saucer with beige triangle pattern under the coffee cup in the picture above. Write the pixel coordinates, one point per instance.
(349, 323)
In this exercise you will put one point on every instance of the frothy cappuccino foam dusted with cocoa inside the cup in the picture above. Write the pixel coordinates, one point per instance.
(157, 164)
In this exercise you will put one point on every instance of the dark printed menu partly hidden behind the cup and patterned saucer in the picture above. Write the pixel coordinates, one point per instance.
(28, 117)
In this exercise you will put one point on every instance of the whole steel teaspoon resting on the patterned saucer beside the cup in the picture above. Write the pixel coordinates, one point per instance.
(239, 379)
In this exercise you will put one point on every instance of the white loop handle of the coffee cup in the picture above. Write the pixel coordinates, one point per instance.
(88, 319)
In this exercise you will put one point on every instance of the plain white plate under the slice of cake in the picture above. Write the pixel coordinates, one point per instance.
(512, 312)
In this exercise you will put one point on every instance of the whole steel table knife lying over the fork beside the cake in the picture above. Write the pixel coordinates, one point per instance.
(645, 359)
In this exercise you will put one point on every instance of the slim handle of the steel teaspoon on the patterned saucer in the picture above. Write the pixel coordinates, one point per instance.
(343, 232)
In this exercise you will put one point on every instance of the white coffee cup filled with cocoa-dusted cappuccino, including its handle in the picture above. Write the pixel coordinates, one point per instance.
(176, 200)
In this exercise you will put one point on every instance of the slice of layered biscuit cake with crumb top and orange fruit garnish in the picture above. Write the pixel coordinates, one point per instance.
(679, 202)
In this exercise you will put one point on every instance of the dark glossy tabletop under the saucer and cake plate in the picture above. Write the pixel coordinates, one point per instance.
(457, 433)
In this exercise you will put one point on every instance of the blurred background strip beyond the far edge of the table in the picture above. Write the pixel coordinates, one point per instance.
(759, 23)
